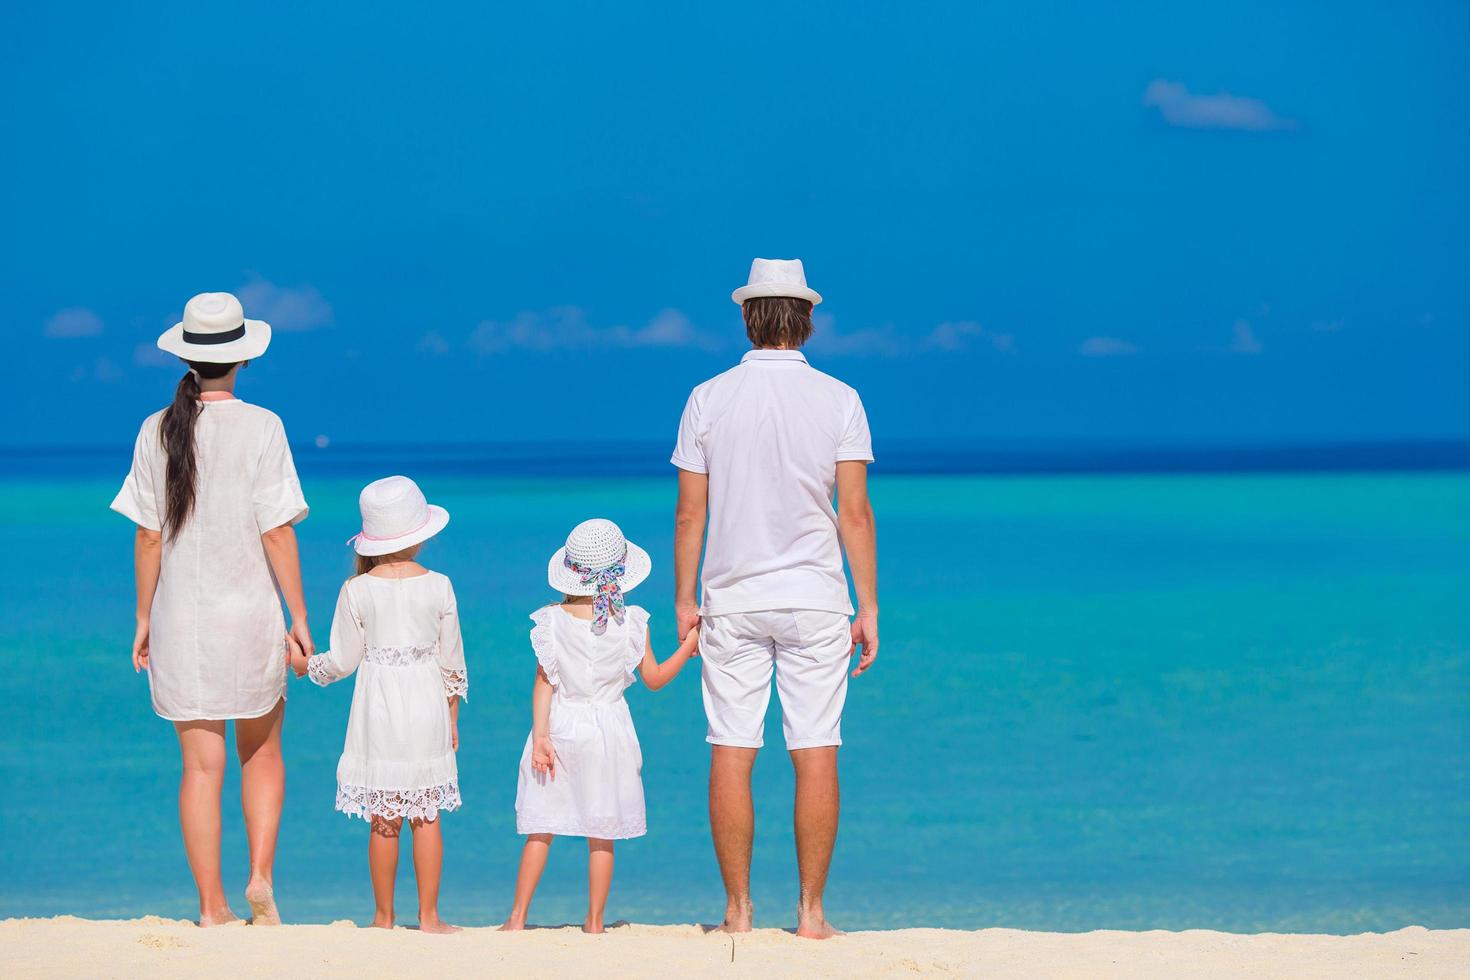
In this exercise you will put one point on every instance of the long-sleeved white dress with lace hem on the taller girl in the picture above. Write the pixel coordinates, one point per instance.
(404, 640)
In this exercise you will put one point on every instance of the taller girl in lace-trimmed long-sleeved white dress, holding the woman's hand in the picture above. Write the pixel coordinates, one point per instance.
(398, 627)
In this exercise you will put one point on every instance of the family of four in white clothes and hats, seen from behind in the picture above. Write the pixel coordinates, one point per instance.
(762, 450)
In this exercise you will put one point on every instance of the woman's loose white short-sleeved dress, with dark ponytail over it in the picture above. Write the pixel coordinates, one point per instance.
(217, 631)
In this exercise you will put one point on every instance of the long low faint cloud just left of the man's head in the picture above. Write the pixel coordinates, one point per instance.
(564, 328)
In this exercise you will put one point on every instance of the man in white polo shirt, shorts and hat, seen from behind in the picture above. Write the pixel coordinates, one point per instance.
(761, 452)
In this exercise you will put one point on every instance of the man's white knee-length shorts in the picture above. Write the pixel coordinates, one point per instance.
(809, 652)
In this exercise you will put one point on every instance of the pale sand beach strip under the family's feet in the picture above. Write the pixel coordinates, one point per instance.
(154, 947)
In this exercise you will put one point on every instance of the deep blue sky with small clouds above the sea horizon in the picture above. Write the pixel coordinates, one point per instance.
(1181, 223)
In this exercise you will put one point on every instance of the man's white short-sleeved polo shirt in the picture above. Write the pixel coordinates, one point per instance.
(771, 433)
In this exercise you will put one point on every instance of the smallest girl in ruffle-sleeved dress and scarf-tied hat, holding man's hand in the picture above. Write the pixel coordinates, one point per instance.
(581, 768)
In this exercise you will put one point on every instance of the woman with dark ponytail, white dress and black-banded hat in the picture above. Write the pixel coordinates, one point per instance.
(215, 496)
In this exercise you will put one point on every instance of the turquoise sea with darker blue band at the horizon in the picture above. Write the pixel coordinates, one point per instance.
(1128, 702)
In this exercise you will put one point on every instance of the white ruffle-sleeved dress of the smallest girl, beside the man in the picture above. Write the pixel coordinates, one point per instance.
(598, 790)
